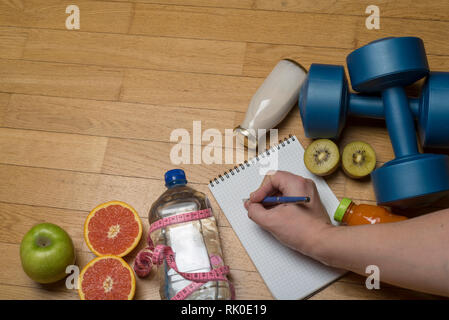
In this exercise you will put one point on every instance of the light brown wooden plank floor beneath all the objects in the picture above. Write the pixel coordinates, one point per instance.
(86, 115)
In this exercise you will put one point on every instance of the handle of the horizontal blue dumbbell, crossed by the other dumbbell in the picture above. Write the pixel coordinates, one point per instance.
(372, 107)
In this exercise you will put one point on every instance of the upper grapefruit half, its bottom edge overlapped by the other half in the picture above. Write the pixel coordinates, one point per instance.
(112, 228)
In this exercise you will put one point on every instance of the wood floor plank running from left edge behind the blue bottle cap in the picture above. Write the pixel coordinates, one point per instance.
(83, 191)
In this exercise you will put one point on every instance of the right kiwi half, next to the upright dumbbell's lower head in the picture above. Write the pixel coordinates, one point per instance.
(358, 159)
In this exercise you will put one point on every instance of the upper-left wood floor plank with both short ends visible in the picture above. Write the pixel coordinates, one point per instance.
(135, 51)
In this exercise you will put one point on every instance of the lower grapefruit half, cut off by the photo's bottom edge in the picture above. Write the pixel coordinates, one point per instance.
(107, 278)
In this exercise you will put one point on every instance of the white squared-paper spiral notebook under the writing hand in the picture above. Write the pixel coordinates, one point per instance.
(287, 273)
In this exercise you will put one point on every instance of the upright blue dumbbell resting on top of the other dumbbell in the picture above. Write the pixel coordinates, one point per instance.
(387, 65)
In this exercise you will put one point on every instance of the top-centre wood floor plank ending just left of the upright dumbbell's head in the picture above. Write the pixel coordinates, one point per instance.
(244, 25)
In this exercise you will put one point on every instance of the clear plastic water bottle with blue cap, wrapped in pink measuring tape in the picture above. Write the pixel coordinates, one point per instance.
(193, 242)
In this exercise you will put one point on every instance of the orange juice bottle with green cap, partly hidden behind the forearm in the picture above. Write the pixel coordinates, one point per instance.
(352, 214)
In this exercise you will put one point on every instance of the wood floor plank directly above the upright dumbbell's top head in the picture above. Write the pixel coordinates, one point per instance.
(435, 42)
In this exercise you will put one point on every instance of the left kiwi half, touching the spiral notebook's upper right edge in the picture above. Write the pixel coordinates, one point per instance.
(322, 157)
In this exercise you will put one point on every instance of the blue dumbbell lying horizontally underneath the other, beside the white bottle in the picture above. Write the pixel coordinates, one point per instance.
(325, 92)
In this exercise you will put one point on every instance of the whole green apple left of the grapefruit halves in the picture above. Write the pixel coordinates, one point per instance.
(46, 250)
